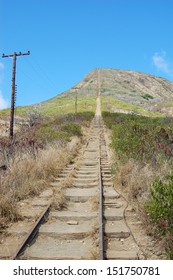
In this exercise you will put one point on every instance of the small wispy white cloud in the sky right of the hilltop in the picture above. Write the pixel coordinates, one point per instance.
(162, 63)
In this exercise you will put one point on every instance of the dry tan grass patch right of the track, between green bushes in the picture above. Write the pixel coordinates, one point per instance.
(133, 181)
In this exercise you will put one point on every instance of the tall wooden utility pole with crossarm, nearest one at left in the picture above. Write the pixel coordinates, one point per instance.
(13, 95)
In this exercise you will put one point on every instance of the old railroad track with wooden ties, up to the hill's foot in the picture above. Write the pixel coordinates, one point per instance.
(92, 223)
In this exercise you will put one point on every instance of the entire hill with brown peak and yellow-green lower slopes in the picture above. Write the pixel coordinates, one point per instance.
(121, 91)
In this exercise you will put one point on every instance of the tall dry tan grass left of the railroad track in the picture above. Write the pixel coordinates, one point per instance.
(28, 176)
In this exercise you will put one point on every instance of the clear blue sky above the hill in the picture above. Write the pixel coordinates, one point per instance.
(69, 38)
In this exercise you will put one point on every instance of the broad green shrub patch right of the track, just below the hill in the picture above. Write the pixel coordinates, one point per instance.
(139, 137)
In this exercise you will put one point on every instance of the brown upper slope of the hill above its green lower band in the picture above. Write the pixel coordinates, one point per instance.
(149, 92)
